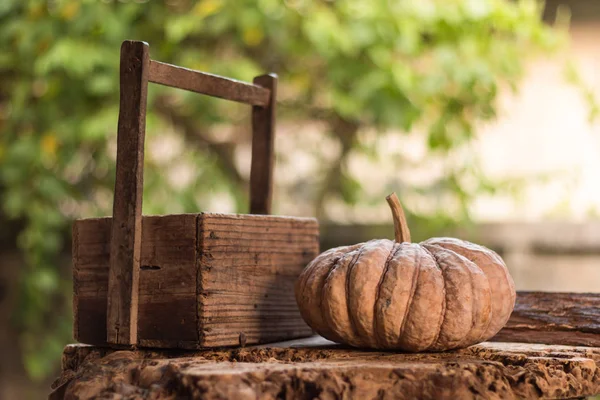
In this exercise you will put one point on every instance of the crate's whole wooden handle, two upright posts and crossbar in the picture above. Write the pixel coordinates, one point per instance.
(136, 70)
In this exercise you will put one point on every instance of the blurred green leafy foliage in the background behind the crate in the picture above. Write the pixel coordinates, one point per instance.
(352, 65)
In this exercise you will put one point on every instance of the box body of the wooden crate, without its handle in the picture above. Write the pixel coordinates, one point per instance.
(205, 279)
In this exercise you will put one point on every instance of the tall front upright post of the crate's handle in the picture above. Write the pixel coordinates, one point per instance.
(126, 236)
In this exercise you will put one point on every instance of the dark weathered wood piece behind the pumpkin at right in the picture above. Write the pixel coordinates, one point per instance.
(554, 318)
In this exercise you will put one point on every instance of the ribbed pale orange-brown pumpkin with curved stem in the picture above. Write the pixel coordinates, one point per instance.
(440, 294)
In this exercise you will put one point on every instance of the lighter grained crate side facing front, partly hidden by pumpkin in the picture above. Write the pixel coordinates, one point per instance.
(248, 267)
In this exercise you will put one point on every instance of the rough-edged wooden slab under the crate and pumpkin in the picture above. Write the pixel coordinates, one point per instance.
(316, 368)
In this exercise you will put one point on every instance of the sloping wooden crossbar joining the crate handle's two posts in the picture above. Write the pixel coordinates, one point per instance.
(209, 84)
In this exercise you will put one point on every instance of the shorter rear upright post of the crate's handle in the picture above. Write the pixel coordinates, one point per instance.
(263, 149)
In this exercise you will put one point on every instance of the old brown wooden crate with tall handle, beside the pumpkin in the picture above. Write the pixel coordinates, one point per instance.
(191, 280)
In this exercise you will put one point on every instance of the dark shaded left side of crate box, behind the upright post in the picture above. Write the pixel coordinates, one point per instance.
(167, 302)
